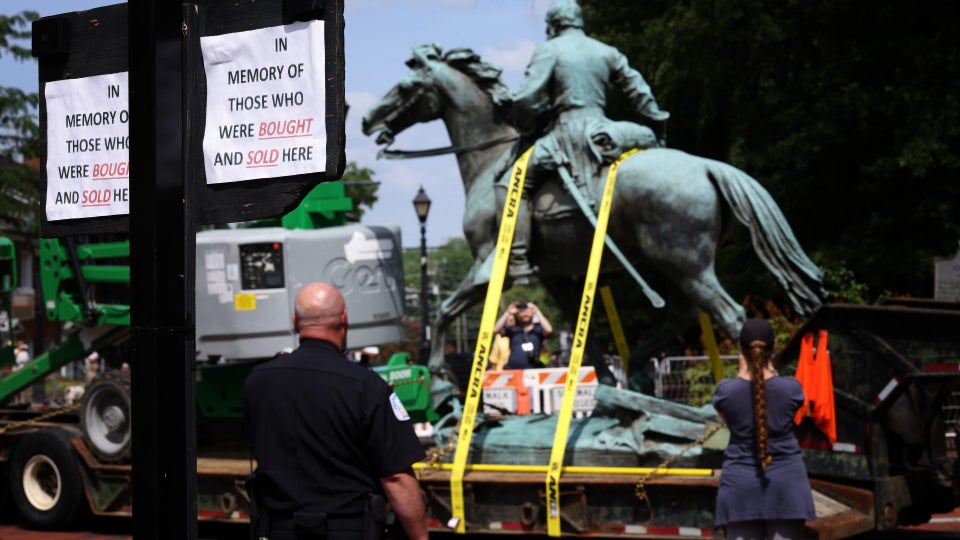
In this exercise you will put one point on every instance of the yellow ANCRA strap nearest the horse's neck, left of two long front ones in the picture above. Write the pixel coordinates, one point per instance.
(491, 308)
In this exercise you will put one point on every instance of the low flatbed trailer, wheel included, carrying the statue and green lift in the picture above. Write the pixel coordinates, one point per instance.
(595, 501)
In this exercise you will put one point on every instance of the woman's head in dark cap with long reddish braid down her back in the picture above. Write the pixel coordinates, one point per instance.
(756, 343)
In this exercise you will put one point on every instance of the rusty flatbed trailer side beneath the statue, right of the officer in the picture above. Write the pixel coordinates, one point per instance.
(606, 504)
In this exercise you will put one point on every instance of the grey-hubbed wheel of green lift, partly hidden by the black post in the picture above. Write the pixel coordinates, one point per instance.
(105, 416)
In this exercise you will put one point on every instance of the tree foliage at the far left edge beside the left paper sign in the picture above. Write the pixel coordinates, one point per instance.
(19, 134)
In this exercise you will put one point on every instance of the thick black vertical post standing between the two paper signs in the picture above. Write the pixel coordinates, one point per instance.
(162, 269)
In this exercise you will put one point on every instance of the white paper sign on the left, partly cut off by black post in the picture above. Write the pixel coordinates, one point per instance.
(88, 137)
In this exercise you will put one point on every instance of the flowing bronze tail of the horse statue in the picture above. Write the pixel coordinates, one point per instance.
(772, 237)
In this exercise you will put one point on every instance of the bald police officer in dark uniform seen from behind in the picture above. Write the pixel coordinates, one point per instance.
(328, 435)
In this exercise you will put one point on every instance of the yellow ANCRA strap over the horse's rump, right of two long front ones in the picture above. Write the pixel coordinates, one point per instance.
(576, 354)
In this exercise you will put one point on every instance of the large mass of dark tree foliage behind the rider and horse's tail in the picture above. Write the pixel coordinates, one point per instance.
(848, 113)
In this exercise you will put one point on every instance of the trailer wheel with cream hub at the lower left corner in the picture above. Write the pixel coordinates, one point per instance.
(44, 480)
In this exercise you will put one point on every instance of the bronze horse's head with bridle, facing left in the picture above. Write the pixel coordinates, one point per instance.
(414, 99)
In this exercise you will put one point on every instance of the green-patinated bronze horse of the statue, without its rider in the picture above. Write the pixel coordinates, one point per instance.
(670, 209)
